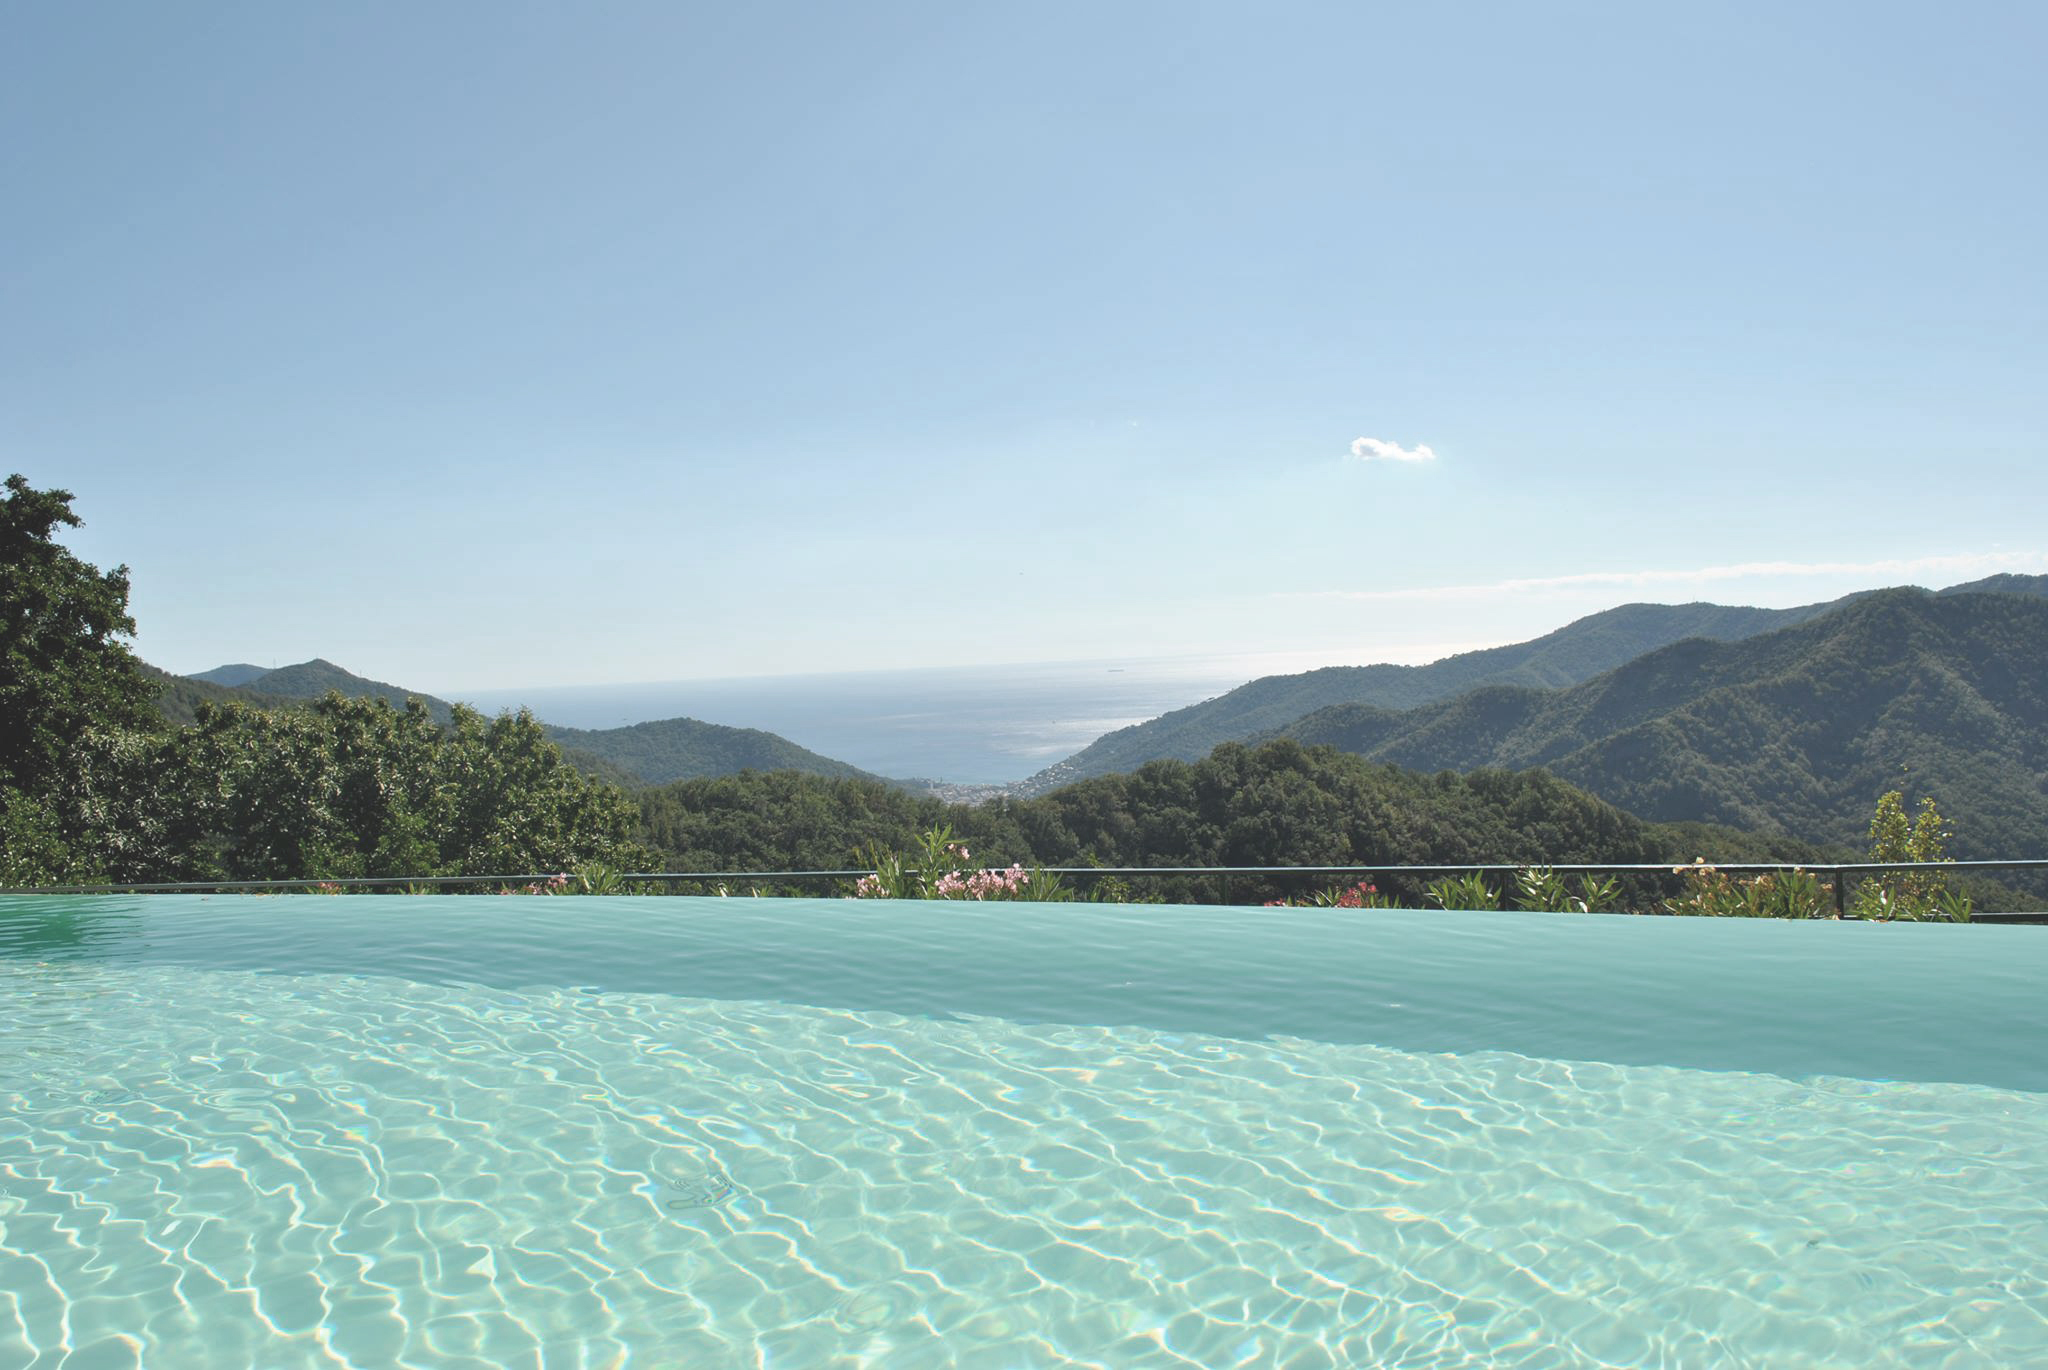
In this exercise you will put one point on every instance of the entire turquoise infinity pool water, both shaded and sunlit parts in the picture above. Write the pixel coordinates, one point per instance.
(347, 1131)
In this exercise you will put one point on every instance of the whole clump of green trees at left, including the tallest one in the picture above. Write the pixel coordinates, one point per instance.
(97, 785)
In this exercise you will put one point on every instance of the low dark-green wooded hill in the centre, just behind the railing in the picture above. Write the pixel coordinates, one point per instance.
(1279, 804)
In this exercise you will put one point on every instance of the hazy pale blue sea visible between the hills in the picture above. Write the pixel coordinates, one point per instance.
(957, 724)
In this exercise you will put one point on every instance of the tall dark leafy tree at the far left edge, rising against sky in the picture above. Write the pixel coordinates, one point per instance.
(65, 677)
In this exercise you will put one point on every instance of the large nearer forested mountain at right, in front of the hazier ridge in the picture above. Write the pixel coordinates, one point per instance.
(1791, 732)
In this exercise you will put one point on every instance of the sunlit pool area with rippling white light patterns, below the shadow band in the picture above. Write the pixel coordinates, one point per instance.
(208, 1168)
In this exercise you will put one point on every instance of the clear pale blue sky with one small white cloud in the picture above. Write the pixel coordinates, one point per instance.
(497, 345)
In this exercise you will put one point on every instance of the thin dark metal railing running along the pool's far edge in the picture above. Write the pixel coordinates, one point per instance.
(1226, 877)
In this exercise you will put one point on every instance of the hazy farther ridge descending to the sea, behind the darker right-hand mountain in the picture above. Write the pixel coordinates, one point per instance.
(1568, 656)
